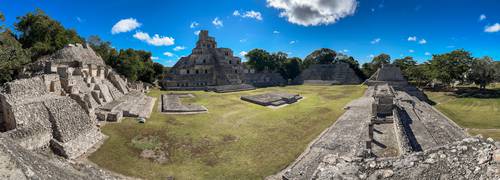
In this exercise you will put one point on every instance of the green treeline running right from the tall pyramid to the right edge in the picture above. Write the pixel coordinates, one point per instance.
(448, 69)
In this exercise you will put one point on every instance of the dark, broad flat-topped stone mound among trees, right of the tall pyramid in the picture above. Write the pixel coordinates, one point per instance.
(338, 73)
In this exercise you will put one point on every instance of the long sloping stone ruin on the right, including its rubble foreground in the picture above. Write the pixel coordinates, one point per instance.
(390, 133)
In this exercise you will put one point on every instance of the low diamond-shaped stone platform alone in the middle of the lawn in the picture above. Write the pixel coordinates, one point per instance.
(272, 99)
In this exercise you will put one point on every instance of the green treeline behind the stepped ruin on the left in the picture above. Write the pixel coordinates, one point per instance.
(37, 35)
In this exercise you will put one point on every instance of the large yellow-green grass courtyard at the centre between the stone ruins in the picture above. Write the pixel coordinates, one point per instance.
(234, 140)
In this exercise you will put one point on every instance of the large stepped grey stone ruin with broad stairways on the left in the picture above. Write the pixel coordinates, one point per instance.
(60, 105)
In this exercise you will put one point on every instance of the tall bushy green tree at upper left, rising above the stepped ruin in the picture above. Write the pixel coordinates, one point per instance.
(43, 35)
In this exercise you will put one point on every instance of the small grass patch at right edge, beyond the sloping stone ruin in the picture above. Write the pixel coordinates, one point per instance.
(480, 115)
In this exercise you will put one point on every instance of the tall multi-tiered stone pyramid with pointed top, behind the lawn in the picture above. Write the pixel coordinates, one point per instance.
(216, 69)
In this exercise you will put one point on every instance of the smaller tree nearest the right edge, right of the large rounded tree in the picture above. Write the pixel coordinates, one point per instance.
(482, 72)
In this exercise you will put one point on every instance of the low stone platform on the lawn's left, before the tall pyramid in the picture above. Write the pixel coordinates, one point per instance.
(171, 103)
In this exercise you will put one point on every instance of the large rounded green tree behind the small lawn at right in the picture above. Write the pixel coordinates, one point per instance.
(450, 67)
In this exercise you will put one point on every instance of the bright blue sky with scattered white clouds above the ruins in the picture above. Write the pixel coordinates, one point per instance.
(361, 28)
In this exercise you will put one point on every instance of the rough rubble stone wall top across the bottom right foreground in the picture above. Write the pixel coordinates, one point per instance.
(470, 158)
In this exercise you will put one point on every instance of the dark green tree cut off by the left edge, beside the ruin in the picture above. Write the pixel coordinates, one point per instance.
(12, 57)
